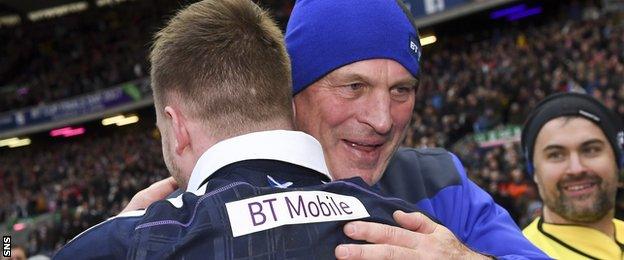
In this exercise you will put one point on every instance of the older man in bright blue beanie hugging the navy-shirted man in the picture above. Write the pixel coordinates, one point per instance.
(355, 70)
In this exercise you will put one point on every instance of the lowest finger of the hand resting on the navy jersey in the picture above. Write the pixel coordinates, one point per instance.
(372, 251)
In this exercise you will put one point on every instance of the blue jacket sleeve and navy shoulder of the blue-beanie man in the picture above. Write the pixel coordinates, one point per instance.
(439, 186)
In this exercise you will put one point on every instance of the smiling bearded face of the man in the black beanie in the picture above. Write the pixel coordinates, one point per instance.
(575, 170)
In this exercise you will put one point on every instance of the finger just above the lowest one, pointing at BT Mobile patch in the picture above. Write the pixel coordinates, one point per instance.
(382, 234)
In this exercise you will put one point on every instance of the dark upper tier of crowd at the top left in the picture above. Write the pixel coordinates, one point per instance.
(82, 52)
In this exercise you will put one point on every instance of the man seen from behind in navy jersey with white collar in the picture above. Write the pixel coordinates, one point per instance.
(253, 188)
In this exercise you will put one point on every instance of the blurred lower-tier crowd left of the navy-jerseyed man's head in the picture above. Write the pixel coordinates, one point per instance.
(80, 182)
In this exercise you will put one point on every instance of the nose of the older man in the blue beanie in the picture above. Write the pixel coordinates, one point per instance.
(376, 112)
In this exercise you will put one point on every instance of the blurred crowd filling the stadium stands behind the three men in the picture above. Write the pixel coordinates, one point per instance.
(467, 86)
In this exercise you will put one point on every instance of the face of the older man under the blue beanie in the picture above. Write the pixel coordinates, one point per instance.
(359, 113)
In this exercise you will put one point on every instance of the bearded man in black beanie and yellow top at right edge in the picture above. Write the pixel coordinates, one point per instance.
(573, 149)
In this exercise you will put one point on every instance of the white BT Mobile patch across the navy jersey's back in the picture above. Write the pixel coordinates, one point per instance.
(294, 207)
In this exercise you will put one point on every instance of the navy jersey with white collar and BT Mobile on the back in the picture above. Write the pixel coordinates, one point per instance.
(251, 196)
